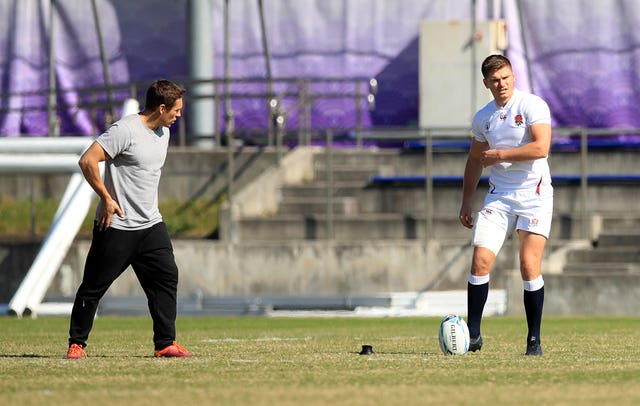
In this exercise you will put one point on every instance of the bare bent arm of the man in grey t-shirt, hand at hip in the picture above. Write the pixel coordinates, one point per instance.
(90, 169)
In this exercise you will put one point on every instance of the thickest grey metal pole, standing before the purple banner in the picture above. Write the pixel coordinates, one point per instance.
(201, 110)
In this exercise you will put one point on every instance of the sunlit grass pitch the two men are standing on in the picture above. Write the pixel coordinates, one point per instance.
(315, 361)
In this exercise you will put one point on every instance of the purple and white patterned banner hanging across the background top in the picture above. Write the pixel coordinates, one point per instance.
(580, 55)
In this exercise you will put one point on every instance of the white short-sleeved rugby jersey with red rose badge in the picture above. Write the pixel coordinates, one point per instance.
(508, 127)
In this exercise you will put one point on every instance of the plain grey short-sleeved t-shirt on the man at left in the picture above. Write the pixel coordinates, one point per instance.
(132, 173)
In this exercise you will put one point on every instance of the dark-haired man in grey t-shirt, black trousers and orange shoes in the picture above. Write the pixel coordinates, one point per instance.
(128, 227)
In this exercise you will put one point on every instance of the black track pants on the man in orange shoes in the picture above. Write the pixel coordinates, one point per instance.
(150, 254)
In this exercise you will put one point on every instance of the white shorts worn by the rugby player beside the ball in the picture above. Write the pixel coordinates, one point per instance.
(503, 213)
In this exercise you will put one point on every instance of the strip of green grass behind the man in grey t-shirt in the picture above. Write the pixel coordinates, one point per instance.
(22, 219)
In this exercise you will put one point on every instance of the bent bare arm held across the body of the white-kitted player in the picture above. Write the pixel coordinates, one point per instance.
(537, 148)
